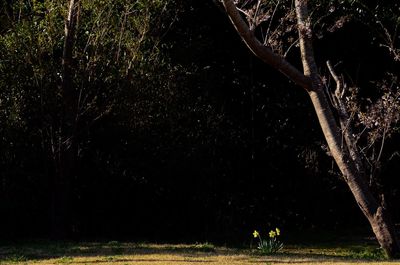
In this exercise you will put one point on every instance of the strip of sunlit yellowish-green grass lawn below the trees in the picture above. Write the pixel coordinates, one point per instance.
(170, 254)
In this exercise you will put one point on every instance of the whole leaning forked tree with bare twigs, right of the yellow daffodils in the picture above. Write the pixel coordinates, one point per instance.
(332, 111)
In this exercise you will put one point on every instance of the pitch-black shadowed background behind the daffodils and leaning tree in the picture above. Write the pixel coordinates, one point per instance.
(249, 158)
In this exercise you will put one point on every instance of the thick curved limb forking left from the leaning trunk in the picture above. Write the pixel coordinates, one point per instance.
(263, 52)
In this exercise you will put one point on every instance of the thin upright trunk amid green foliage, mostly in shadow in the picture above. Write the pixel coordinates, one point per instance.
(65, 158)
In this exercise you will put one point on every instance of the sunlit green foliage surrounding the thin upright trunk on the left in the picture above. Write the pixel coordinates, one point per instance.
(119, 66)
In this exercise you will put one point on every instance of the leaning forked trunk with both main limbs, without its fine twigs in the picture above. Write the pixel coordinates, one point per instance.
(344, 155)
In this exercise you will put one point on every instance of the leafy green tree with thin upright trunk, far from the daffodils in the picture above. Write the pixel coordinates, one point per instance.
(63, 67)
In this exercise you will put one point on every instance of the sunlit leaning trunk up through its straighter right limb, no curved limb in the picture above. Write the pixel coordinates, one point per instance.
(380, 222)
